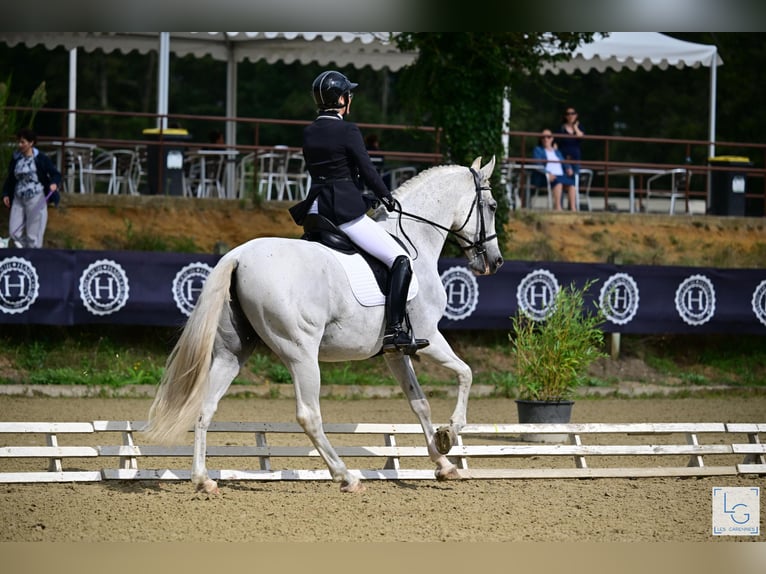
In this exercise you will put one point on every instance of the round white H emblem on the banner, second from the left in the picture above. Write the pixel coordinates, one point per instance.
(104, 287)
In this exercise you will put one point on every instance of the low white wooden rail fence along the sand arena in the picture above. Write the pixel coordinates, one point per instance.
(112, 450)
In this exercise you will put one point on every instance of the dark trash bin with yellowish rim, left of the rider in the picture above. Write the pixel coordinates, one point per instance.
(165, 160)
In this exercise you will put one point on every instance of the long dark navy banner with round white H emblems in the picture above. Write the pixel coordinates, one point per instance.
(60, 287)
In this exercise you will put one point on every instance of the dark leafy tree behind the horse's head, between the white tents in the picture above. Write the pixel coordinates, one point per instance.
(459, 79)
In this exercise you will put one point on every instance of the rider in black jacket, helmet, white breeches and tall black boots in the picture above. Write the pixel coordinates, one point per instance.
(340, 165)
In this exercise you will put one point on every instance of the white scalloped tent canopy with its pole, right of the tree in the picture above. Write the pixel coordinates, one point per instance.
(631, 50)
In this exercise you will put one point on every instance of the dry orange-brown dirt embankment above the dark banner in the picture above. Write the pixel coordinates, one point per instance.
(117, 222)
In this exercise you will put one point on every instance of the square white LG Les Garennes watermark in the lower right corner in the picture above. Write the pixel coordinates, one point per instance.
(736, 511)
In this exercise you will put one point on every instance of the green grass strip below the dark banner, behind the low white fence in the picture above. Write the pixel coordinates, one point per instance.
(112, 356)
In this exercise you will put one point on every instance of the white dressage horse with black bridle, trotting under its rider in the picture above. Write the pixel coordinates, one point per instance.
(295, 296)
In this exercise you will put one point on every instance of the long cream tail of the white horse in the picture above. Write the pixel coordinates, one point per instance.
(179, 397)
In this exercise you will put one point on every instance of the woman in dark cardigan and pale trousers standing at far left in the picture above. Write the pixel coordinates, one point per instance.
(32, 182)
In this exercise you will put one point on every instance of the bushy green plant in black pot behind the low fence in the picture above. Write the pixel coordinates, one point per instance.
(552, 358)
